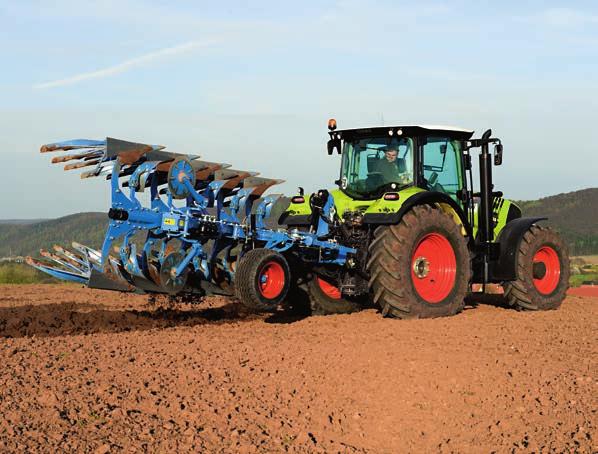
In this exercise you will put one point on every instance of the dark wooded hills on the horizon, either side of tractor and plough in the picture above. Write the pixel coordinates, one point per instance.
(574, 214)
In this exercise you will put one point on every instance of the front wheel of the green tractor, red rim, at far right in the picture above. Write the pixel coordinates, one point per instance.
(542, 271)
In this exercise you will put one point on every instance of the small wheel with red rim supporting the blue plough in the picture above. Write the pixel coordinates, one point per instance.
(262, 279)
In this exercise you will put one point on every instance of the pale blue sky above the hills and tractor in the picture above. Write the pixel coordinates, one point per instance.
(252, 84)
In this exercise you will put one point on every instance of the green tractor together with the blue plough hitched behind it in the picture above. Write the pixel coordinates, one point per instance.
(404, 229)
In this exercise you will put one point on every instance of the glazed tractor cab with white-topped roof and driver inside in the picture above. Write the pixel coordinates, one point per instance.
(385, 159)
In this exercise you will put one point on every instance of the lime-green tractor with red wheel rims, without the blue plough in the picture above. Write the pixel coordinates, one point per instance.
(405, 201)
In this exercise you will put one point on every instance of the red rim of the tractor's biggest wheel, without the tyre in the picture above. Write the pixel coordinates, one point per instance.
(434, 268)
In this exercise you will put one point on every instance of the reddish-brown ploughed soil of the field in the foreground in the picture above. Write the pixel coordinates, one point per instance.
(93, 371)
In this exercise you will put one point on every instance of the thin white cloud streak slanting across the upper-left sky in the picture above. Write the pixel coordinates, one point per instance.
(126, 65)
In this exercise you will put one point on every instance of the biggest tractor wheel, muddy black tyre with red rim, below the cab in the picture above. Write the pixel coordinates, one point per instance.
(421, 267)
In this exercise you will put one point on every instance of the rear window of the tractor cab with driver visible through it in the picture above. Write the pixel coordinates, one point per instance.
(371, 164)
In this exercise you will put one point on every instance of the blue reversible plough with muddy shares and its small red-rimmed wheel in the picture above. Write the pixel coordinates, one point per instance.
(201, 222)
